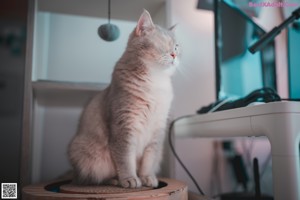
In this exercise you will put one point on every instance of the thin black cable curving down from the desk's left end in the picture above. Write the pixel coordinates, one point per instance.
(177, 157)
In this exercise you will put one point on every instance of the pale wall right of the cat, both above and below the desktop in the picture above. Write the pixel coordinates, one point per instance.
(195, 87)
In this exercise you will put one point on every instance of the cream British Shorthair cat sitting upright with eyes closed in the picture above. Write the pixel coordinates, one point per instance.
(121, 131)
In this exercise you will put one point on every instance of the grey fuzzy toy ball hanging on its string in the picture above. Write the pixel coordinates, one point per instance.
(109, 32)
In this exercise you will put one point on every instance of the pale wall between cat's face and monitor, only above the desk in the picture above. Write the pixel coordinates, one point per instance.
(195, 85)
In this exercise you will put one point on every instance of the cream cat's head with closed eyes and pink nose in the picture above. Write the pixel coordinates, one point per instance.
(157, 46)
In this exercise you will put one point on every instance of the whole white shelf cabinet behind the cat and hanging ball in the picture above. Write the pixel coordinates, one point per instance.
(68, 64)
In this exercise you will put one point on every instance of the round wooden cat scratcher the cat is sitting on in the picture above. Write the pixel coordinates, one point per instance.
(65, 190)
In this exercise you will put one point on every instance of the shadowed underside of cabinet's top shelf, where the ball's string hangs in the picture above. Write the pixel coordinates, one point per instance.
(124, 10)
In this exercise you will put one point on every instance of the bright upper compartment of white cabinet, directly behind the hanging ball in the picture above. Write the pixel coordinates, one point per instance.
(69, 49)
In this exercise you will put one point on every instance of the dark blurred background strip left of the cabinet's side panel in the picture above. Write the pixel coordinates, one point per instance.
(13, 27)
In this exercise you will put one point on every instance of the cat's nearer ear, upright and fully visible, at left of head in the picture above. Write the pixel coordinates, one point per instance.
(144, 24)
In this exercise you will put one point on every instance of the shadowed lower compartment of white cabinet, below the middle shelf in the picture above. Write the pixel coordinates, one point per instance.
(56, 115)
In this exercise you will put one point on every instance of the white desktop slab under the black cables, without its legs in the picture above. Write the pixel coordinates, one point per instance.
(233, 120)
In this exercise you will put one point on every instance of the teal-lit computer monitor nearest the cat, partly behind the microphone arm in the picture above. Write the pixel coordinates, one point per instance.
(238, 72)
